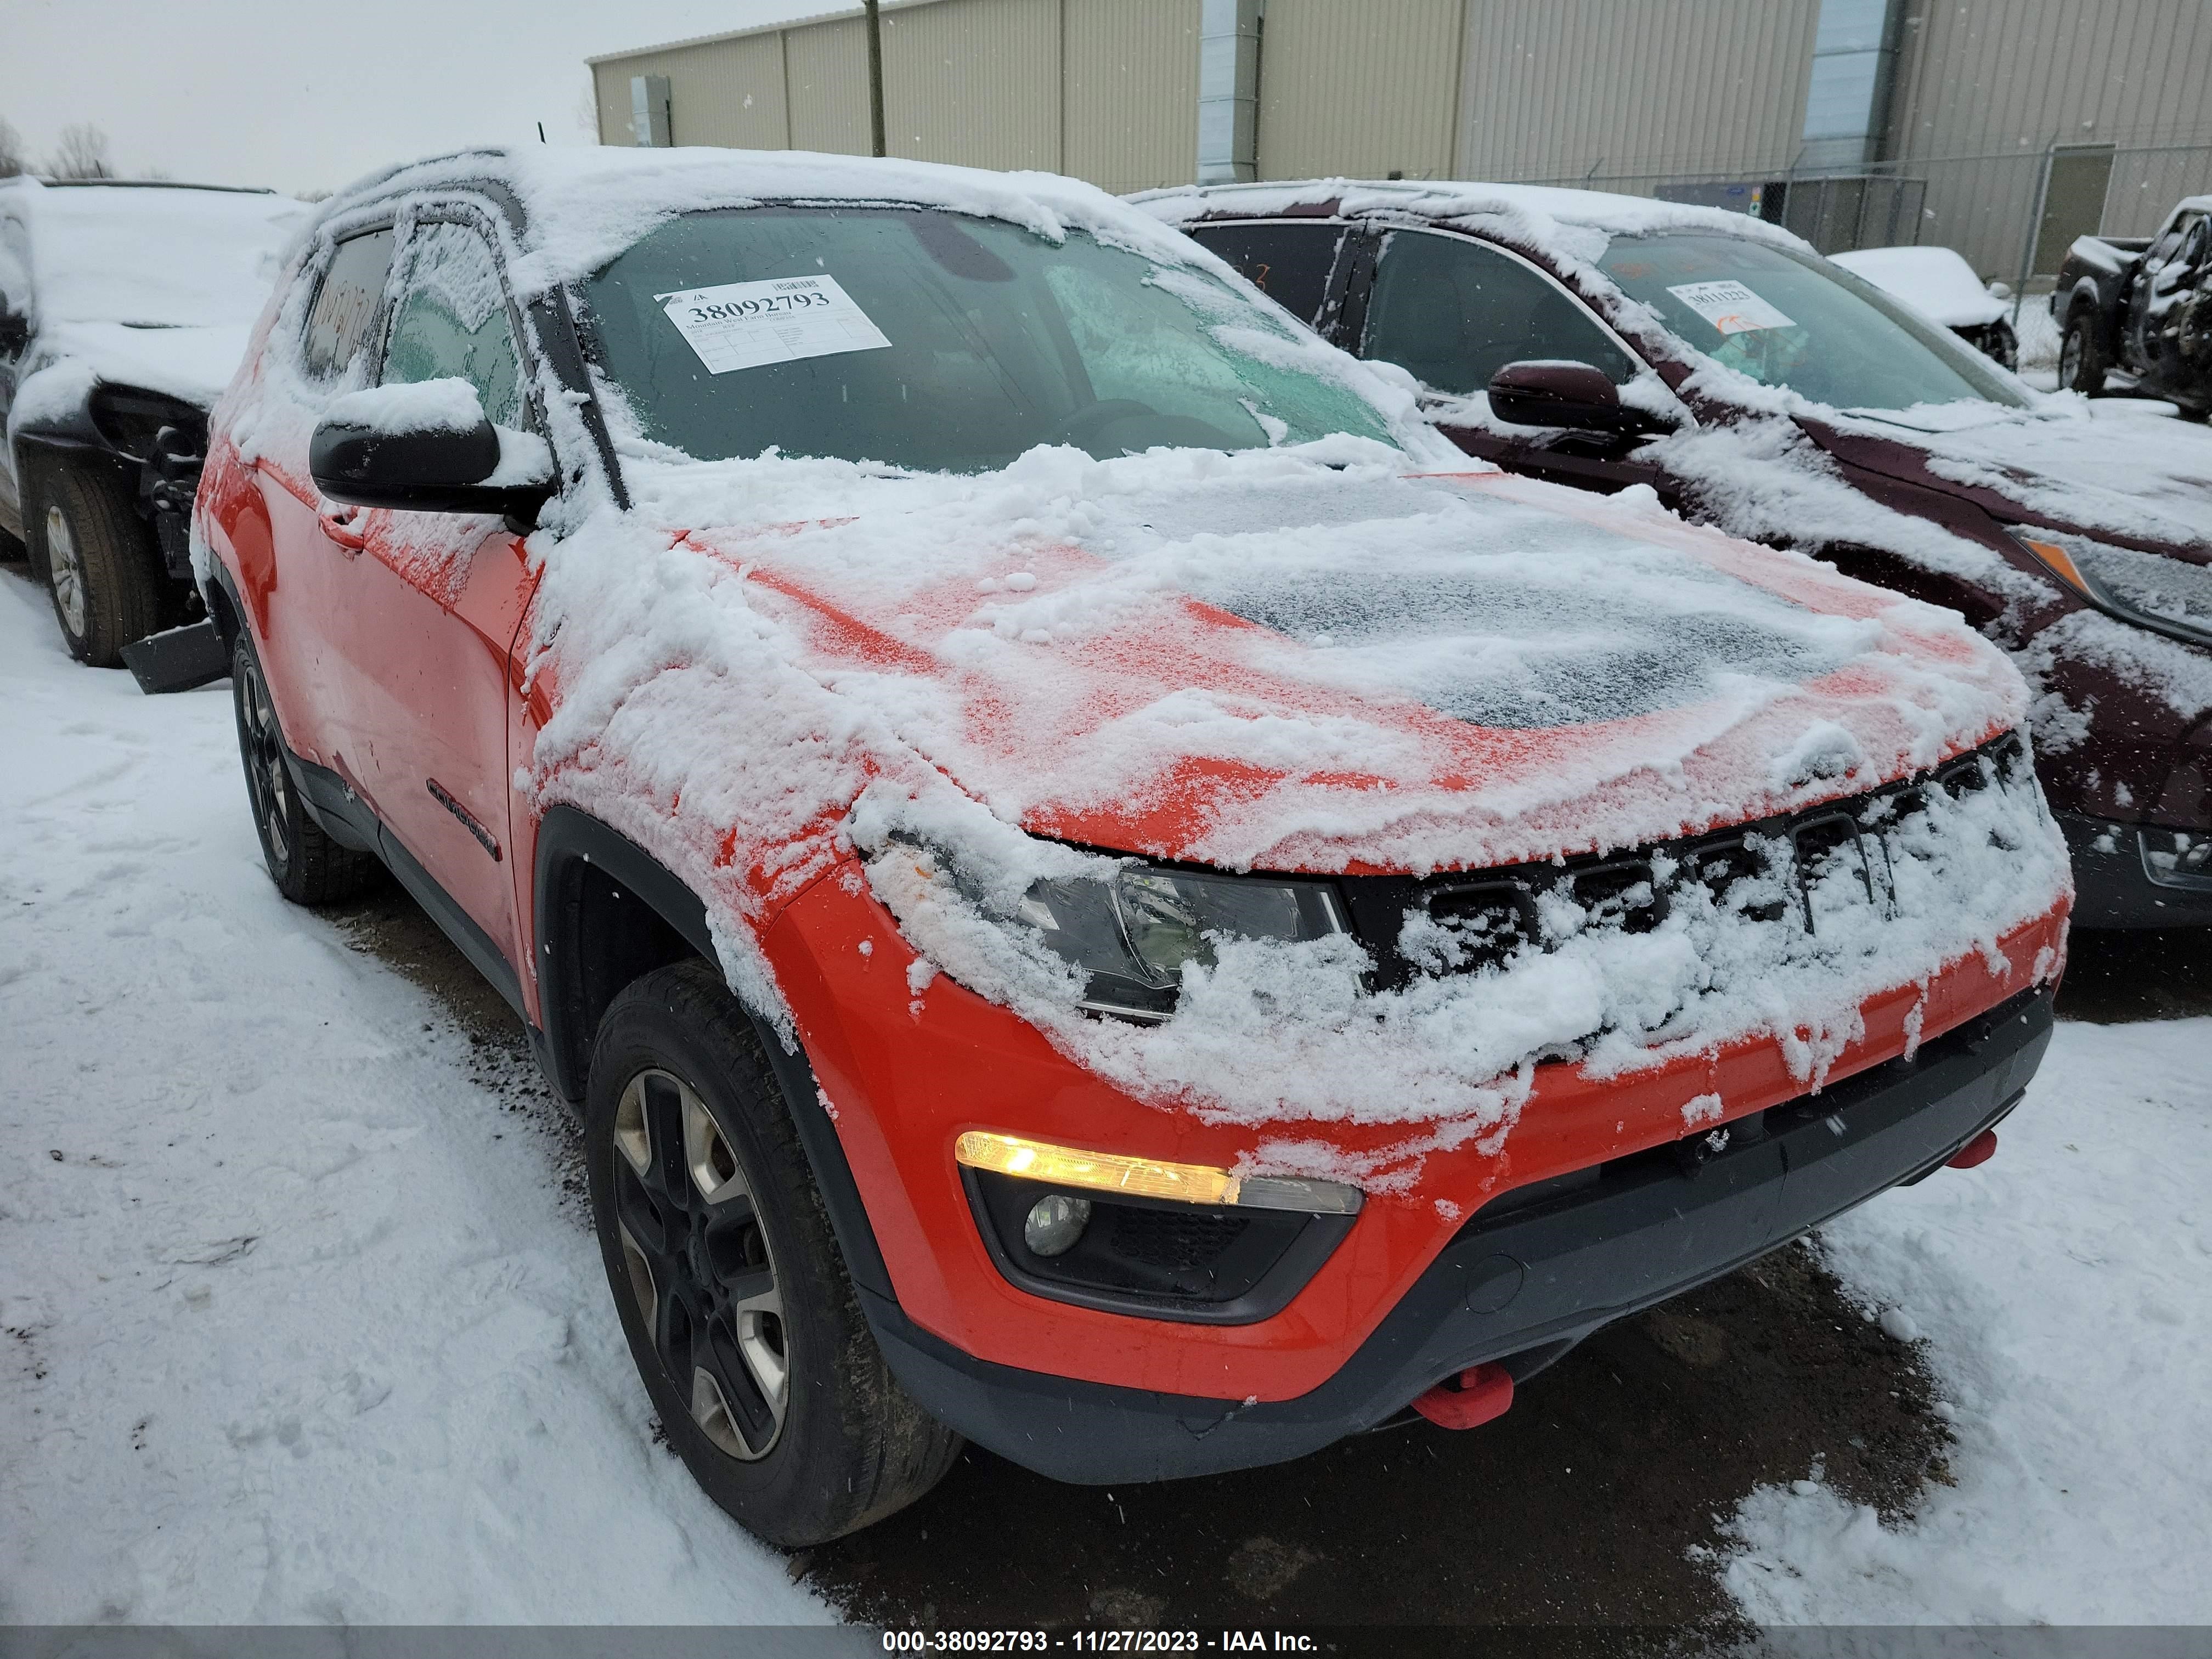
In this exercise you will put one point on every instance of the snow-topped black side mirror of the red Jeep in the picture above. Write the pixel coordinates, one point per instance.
(428, 448)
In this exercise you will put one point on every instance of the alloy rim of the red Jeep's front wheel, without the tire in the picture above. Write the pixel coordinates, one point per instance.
(698, 1262)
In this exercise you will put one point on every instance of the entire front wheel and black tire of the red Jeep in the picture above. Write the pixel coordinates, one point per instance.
(740, 1280)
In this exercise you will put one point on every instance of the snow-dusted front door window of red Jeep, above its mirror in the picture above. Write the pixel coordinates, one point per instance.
(452, 322)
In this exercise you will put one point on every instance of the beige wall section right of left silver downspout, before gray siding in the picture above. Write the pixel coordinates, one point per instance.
(1359, 90)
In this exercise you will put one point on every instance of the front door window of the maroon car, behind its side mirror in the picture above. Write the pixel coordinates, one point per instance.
(1454, 313)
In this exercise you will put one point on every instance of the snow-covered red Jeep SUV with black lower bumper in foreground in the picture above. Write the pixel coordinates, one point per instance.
(1094, 886)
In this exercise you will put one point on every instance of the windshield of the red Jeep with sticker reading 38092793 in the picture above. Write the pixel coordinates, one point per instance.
(941, 344)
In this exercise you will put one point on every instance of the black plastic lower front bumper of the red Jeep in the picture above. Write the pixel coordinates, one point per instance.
(1527, 1277)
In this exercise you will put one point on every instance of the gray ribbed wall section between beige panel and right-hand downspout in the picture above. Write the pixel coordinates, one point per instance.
(1631, 92)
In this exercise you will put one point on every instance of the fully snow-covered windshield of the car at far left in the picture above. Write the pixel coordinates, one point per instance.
(158, 258)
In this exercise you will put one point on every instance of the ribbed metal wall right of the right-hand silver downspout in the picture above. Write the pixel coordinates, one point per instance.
(1985, 90)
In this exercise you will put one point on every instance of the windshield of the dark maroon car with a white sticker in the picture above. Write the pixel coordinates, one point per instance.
(1799, 322)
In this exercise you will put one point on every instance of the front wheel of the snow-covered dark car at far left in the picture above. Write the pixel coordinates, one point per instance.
(98, 559)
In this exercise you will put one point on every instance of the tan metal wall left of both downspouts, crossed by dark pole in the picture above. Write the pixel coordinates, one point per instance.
(1105, 90)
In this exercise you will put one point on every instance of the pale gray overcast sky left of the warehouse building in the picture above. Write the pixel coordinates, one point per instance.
(309, 96)
